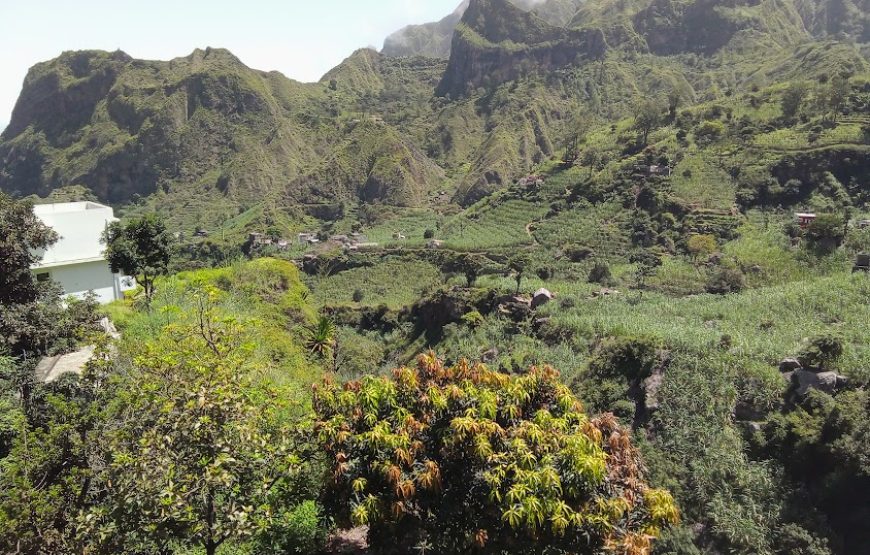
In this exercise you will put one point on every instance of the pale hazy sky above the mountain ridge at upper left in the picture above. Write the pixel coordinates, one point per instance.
(301, 39)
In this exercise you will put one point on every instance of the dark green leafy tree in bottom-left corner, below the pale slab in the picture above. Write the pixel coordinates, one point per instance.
(47, 477)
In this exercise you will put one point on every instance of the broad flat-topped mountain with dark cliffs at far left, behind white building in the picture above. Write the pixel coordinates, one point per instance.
(126, 127)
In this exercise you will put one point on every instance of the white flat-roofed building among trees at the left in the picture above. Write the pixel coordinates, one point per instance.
(76, 260)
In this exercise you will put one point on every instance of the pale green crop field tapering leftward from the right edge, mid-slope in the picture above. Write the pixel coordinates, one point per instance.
(762, 325)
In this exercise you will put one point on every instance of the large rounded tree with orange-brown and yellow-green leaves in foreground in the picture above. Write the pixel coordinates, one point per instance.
(464, 459)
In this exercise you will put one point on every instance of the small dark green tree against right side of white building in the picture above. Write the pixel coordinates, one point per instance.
(142, 247)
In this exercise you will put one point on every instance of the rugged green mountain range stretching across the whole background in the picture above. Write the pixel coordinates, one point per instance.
(206, 131)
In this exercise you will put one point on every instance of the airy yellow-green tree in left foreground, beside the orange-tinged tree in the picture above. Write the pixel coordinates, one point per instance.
(203, 443)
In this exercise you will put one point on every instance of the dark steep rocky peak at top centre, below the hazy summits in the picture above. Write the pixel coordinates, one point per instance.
(497, 42)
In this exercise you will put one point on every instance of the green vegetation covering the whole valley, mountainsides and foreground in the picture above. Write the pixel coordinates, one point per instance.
(607, 188)
